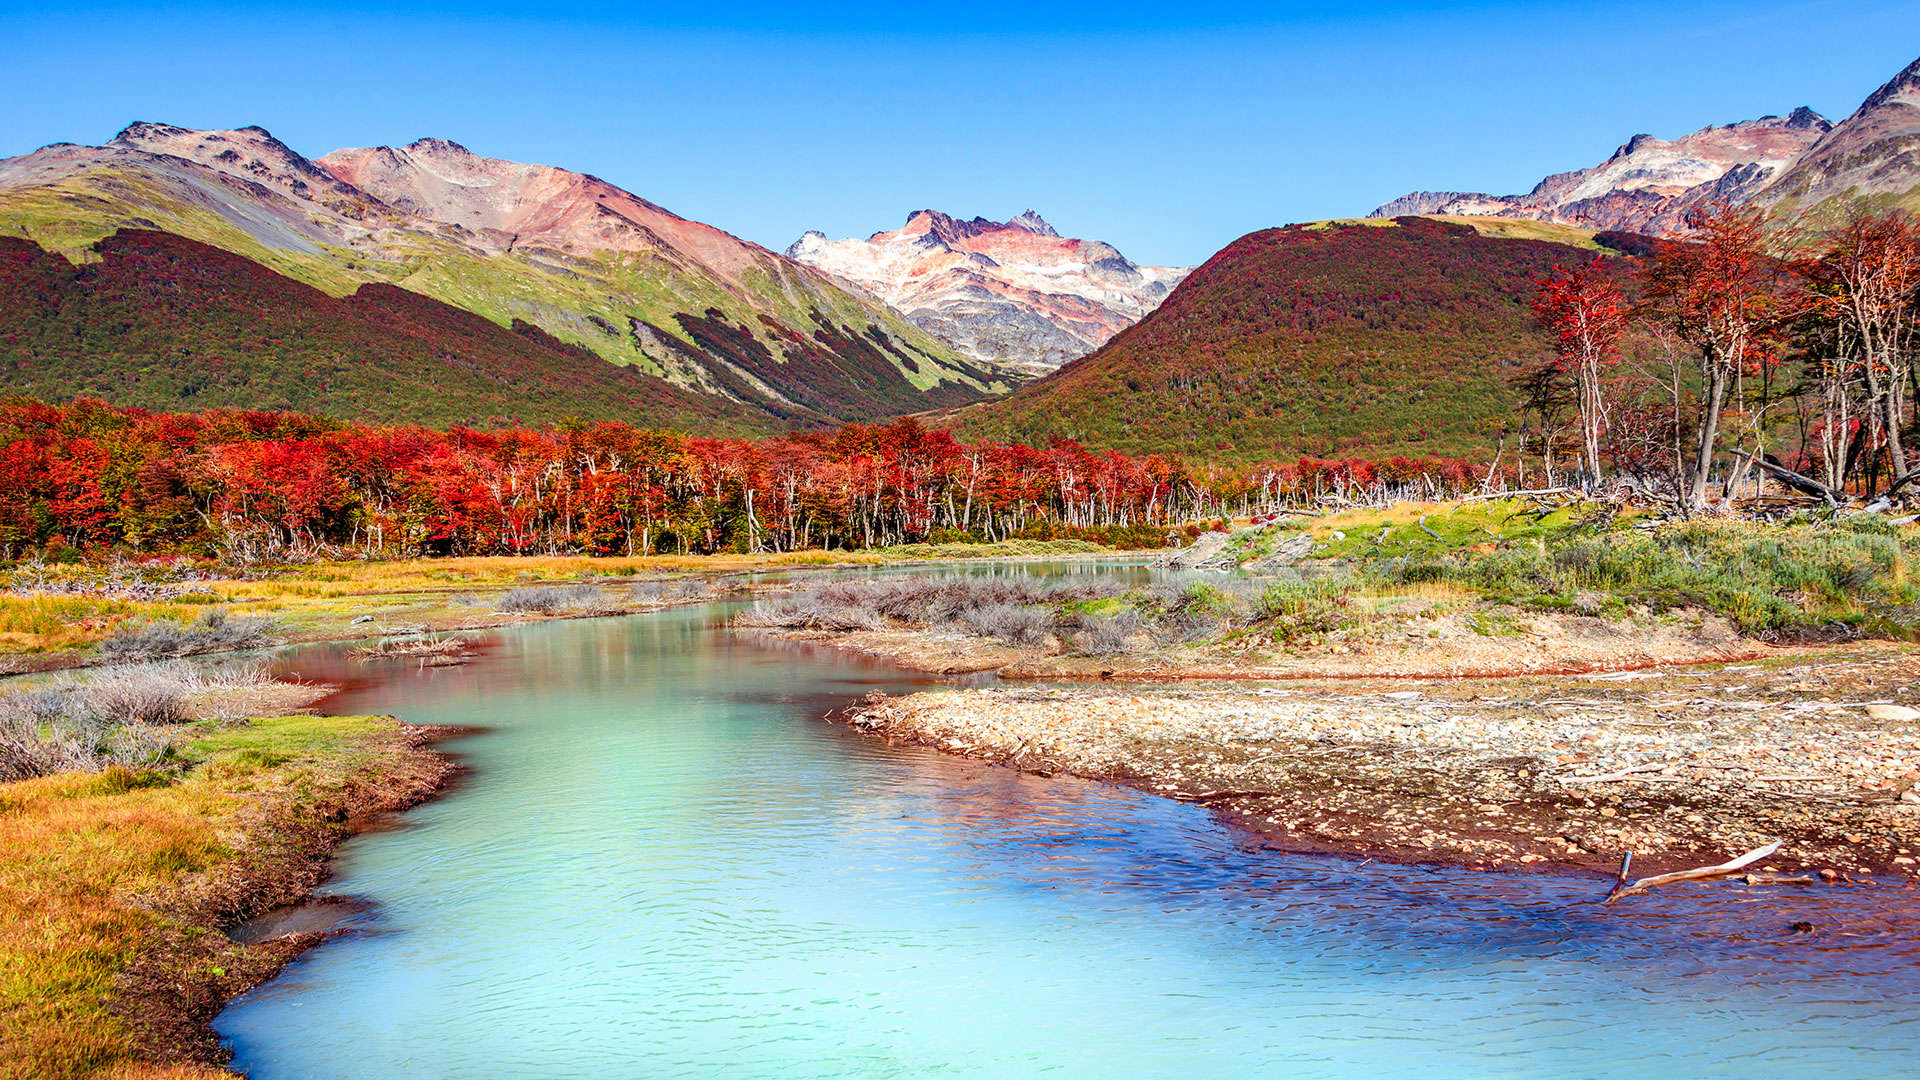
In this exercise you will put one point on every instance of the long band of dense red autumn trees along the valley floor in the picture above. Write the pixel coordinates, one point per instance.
(262, 485)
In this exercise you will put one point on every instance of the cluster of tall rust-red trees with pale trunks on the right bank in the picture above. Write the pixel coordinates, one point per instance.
(1746, 349)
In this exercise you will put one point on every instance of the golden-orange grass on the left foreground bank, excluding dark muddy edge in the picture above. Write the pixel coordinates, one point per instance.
(82, 852)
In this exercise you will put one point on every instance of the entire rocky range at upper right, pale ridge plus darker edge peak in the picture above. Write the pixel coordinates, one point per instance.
(1798, 164)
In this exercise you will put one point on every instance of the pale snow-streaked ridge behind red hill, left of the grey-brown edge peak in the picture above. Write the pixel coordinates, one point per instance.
(1650, 184)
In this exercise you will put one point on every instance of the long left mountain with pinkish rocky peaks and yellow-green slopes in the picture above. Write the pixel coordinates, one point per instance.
(585, 260)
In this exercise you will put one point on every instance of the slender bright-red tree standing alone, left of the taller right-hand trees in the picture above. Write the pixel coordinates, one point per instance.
(1587, 314)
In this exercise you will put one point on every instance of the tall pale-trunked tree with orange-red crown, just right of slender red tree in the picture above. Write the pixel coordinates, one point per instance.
(1721, 295)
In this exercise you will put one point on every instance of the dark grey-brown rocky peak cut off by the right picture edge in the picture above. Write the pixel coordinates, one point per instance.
(1869, 159)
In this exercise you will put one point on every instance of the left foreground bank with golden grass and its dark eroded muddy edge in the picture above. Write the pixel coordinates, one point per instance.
(118, 889)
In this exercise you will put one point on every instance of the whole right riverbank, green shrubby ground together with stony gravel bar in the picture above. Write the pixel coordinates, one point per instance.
(1476, 683)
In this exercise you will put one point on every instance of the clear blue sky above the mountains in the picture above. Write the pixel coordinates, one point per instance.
(1166, 130)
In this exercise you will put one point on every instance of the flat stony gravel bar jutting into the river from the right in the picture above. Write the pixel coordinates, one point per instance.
(1683, 768)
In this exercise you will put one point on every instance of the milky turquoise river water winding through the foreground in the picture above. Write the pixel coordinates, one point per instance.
(667, 864)
